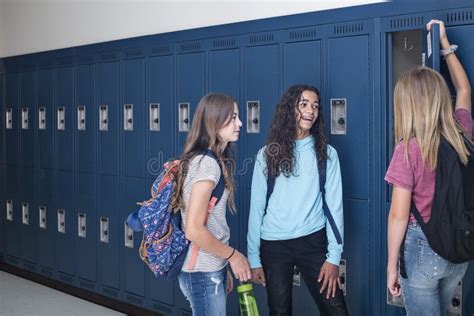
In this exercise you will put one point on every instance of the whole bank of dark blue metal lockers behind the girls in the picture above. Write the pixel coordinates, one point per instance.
(84, 131)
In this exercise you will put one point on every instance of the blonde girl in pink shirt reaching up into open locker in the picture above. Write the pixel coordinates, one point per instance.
(423, 113)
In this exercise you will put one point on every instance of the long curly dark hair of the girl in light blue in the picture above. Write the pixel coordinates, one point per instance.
(283, 132)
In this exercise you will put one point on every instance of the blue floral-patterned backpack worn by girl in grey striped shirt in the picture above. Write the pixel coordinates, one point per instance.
(164, 245)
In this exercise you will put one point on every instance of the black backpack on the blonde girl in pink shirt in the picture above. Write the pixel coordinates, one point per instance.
(450, 230)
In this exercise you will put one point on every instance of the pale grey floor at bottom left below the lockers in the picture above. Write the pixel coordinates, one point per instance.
(22, 297)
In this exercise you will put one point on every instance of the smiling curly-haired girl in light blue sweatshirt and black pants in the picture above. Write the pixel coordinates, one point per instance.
(292, 229)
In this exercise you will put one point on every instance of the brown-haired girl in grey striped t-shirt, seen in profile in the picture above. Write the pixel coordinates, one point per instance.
(207, 154)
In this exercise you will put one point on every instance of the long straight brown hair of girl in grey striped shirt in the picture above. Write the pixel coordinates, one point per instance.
(213, 112)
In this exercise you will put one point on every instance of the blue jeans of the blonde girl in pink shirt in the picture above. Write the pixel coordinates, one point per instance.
(431, 280)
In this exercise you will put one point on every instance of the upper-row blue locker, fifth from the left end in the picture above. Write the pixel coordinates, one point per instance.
(86, 114)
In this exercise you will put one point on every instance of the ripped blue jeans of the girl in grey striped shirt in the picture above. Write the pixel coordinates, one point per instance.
(205, 291)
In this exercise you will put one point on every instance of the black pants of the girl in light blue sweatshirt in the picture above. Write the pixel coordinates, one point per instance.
(307, 253)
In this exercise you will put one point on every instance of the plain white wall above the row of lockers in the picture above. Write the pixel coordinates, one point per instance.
(28, 26)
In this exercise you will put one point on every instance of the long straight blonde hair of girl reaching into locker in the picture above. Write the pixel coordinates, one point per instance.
(423, 110)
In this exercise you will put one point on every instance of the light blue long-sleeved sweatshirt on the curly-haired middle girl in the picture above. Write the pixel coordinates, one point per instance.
(295, 208)
